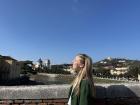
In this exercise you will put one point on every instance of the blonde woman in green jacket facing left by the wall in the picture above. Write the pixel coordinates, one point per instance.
(82, 89)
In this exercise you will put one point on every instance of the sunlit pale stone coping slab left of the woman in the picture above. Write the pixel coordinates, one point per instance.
(34, 92)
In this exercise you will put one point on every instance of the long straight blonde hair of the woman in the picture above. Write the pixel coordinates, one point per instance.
(85, 73)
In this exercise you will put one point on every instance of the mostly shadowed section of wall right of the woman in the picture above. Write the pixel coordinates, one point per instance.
(118, 95)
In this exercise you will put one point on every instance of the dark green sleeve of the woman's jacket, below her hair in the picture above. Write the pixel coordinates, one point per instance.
(84, 93)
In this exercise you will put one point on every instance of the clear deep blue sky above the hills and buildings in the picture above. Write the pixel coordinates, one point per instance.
(59, 29)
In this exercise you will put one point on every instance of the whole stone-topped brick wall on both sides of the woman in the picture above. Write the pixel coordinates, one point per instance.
(106, 94)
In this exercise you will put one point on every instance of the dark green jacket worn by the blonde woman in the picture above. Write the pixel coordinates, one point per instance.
(85, 97)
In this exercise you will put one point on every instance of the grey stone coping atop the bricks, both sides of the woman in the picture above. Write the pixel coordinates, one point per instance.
(61, 91)
